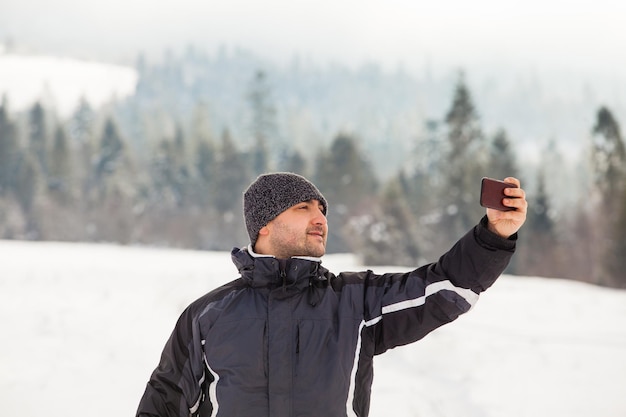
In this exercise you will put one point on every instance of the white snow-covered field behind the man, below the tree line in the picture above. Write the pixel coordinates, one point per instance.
(83, 327)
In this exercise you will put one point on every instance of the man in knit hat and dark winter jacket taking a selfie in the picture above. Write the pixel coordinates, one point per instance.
(290, 338)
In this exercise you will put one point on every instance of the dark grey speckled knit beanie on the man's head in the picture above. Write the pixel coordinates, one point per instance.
(271, 194)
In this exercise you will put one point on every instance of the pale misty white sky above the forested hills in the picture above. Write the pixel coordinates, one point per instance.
(583, 35)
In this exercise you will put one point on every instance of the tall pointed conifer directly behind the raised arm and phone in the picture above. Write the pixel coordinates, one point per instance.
(443, 180)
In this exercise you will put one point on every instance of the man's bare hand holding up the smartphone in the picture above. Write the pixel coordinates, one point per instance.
(506, 223)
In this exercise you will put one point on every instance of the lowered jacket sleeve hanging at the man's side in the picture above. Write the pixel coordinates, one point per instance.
(177, 387)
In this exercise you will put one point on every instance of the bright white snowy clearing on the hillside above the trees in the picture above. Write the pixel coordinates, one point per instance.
(62, 82)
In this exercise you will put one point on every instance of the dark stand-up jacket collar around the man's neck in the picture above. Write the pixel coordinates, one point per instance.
(268, 271)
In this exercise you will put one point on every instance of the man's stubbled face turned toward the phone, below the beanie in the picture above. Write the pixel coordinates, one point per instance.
(301, 230)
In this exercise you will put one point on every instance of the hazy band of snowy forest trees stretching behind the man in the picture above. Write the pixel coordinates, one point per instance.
(151, 171)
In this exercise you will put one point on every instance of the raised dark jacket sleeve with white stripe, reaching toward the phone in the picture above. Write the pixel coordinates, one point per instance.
(401, 308)
